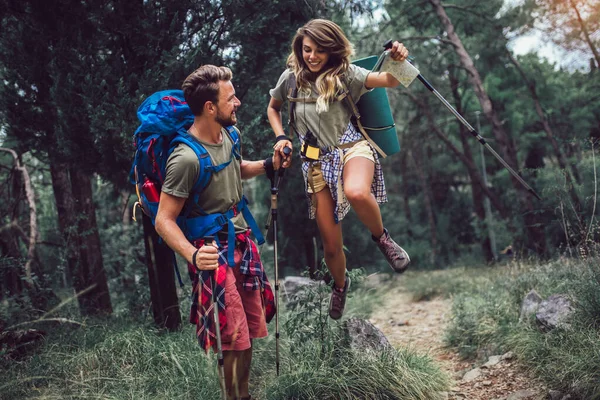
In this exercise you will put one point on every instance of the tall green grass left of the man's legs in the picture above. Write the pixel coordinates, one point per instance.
(115, 360)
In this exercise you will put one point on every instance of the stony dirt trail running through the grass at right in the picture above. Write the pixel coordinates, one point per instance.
(421, 325)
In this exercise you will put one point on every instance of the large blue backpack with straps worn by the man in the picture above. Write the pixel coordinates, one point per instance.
(164, 122)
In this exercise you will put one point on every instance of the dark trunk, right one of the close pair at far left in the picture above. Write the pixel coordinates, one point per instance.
(90, 275)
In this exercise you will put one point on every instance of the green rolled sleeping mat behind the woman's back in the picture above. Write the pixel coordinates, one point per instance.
(376, 114)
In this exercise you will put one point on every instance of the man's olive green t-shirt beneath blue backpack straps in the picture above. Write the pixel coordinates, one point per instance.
(224, 189)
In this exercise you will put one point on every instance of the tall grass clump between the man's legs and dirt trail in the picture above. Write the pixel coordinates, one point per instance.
(317, 365)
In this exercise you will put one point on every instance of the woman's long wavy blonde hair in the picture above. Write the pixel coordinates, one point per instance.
(330, 37)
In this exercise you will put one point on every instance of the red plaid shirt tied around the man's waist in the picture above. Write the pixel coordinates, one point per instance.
(251, 267)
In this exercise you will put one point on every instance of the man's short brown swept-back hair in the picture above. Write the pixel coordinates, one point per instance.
(202, 85)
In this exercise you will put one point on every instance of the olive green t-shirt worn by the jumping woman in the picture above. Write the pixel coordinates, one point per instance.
(329, 126)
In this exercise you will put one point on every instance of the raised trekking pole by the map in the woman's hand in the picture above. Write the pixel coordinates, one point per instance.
(407, 72)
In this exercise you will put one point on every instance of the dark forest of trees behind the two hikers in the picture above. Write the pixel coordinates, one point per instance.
(74, 72)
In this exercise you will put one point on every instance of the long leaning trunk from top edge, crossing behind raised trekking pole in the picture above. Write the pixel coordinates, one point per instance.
(536, 239)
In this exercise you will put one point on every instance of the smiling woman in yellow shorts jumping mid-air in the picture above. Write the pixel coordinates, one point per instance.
(340, 168)
